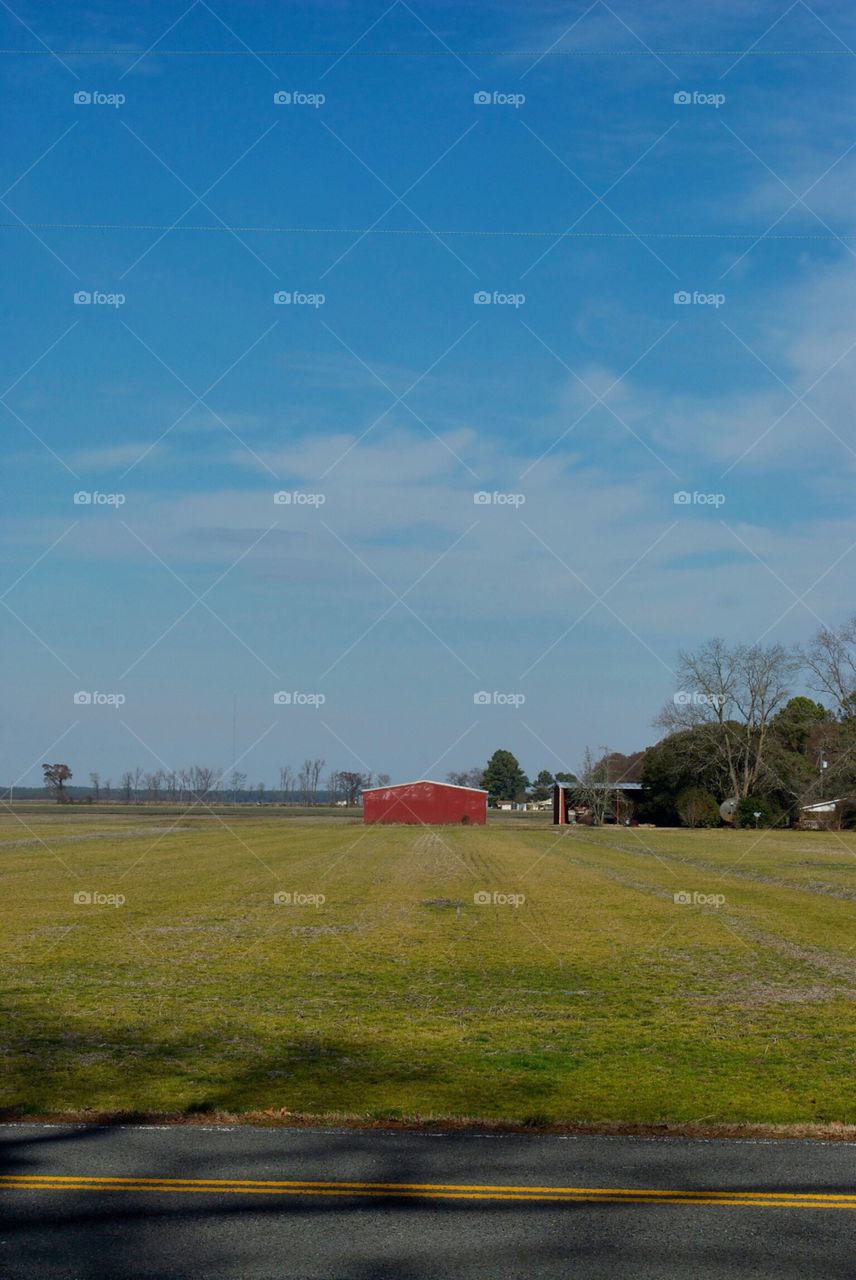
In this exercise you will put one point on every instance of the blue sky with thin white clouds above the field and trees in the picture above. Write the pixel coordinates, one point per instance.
(593, 397)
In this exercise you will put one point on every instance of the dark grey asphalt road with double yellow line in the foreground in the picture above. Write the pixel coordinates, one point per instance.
(139, 1201)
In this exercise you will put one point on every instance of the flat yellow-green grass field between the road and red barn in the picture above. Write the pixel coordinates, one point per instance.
(599, 998)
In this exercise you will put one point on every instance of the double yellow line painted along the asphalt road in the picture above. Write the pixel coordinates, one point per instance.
(429, 1191)
